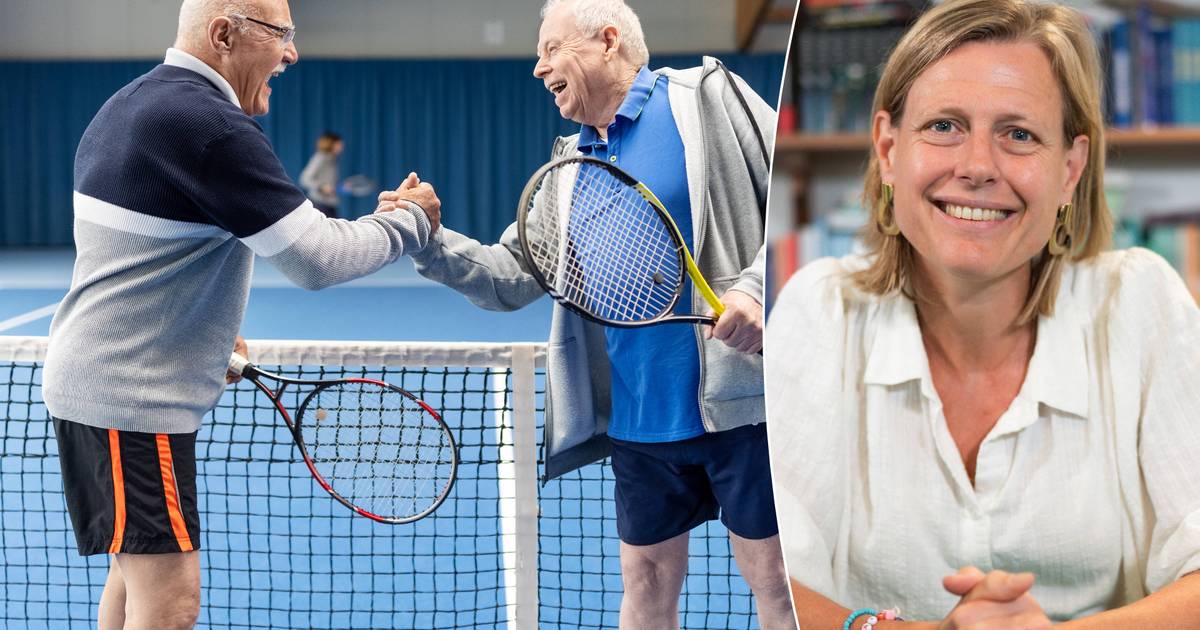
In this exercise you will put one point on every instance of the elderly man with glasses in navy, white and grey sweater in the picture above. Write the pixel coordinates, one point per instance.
(177, 189)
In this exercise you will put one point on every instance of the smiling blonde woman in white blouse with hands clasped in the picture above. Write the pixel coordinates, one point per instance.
(940, 406)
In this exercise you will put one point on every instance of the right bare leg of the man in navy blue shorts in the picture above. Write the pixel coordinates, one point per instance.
(761, 563)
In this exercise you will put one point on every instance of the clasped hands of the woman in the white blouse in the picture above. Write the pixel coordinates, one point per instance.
(998, 601)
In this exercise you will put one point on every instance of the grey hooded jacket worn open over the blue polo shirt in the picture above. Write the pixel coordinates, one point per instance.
(728, 178)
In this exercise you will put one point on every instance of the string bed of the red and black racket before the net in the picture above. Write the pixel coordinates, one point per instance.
(377, 448)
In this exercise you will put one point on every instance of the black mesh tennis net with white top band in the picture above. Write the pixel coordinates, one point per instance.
(505, 551)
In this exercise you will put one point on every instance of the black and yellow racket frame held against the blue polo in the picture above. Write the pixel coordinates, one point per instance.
(681, 250)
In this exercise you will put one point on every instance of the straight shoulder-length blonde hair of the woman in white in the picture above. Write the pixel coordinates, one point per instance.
(1063, 35)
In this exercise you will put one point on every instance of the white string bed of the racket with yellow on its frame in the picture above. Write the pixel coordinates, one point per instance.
(602, 245)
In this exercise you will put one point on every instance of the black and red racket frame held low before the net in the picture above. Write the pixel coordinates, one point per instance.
(243, 367)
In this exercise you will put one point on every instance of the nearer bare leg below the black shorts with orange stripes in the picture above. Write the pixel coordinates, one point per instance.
(163, 590)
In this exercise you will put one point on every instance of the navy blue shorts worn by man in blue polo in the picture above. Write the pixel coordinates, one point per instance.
(668, 489)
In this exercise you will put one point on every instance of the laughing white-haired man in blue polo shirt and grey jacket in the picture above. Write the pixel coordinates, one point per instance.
(680, 409)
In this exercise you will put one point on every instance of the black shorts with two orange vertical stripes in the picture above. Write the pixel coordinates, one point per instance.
(129, 493)
